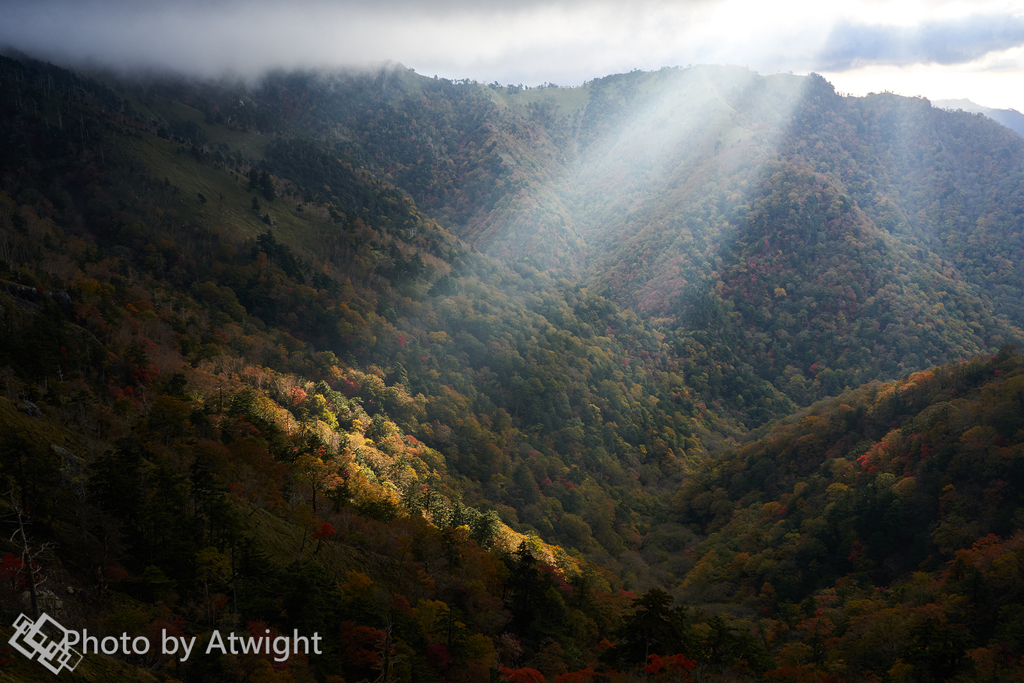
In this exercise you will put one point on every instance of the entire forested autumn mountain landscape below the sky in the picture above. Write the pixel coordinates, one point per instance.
(686, 375)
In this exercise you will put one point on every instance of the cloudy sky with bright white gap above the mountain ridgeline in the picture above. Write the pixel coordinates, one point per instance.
(933, 49)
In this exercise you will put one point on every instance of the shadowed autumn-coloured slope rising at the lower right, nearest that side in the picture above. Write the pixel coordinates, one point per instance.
(879, 534)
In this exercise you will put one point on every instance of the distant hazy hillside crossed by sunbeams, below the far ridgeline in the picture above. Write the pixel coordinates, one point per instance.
(886, 230)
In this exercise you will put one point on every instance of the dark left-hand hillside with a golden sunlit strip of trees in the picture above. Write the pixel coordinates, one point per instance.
(237, 400)
